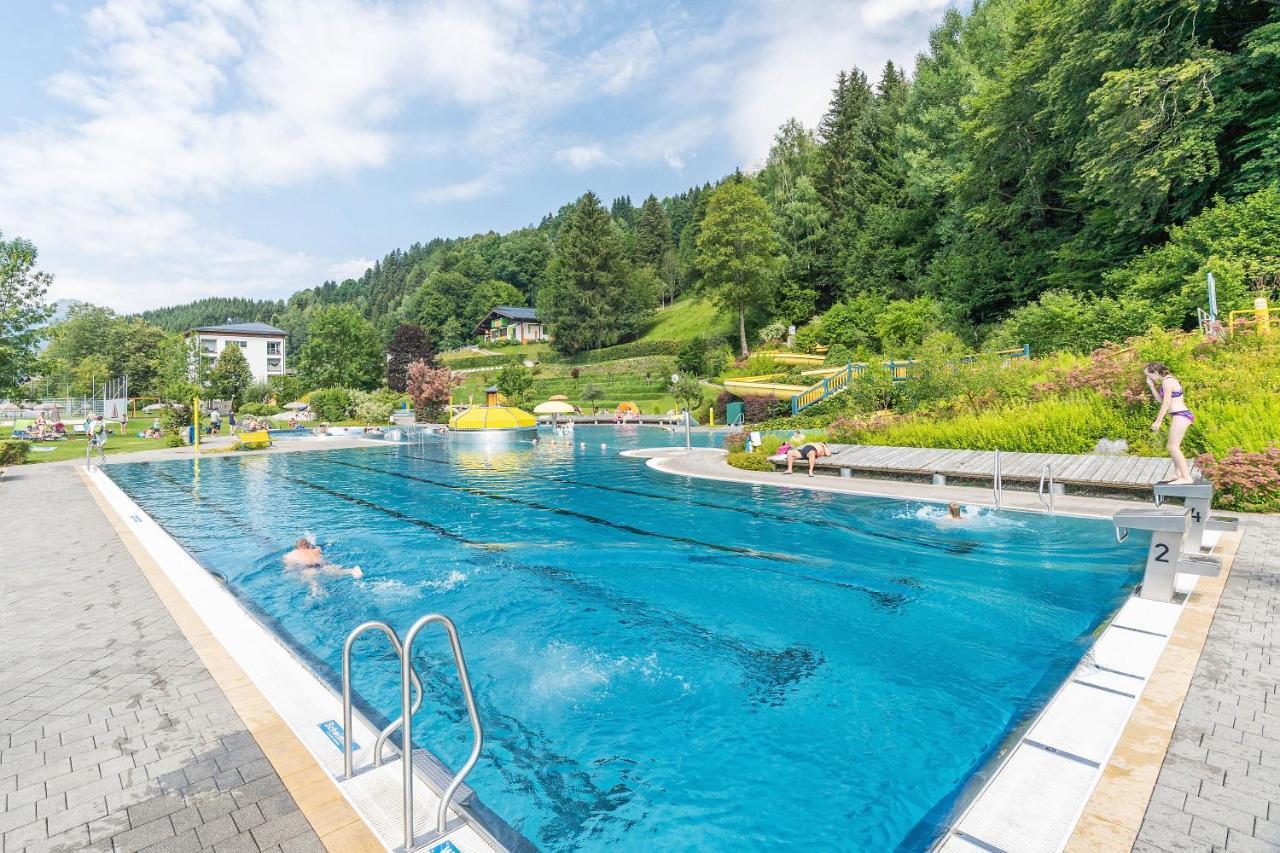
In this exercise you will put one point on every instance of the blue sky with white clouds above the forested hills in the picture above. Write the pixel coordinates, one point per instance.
(164, 150)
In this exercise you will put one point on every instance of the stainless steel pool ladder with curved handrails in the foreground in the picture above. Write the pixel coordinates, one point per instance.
(408, 709)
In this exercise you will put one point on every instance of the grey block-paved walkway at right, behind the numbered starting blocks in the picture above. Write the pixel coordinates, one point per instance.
(1219, 788)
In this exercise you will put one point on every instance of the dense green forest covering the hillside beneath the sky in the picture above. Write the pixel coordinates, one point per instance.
(1039, 147)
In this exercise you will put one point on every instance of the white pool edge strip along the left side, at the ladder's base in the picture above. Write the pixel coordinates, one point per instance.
(303, 700)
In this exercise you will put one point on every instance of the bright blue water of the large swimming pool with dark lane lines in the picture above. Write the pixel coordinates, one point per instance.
(661, 663)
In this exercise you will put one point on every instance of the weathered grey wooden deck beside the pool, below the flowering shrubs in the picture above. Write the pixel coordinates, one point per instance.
(1080, 471)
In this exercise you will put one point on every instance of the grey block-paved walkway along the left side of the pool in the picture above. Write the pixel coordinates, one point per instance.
(113, 735)
